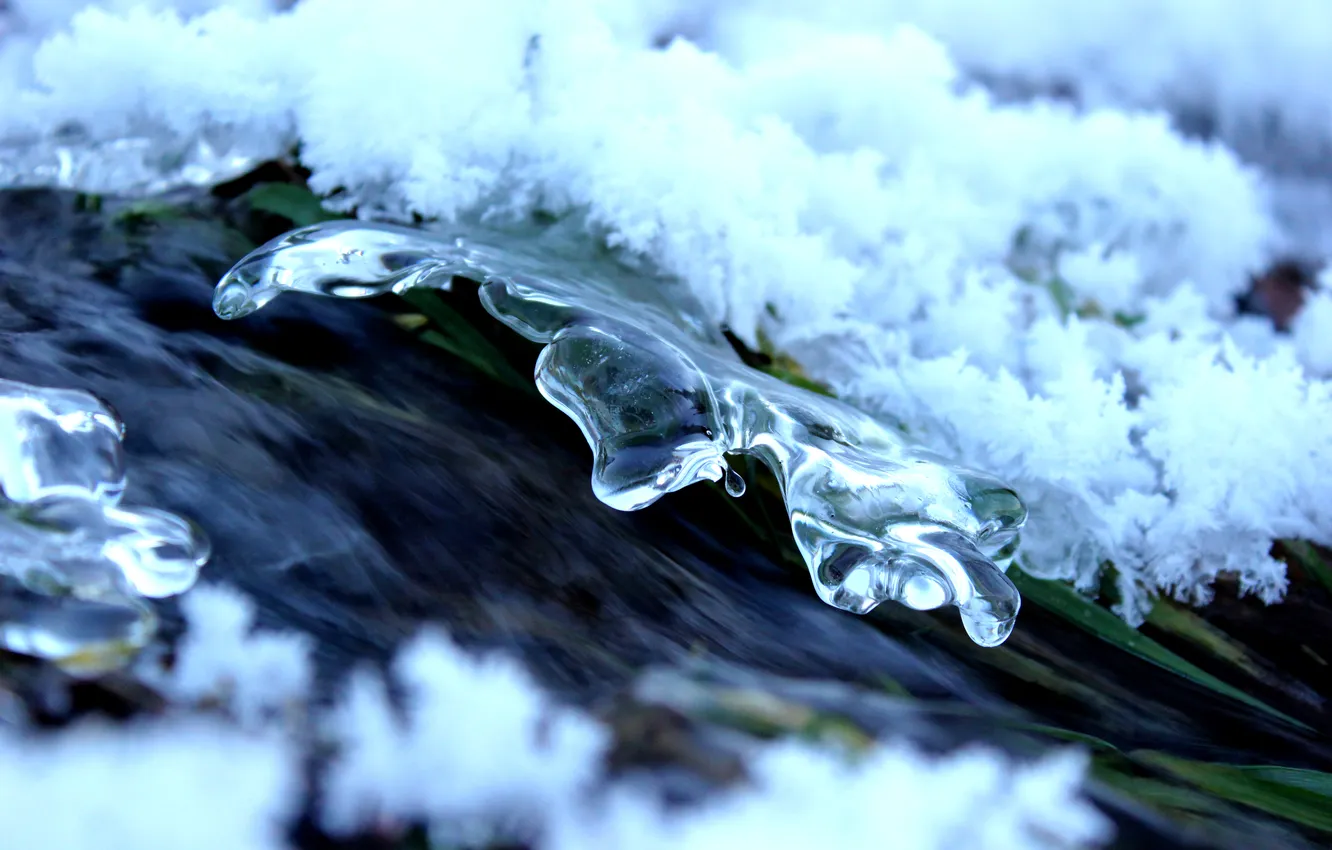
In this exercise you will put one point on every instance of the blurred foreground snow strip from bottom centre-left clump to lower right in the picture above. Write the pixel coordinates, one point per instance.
(480, 751)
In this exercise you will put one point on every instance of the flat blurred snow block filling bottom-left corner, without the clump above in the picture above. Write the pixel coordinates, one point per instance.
(183, 783)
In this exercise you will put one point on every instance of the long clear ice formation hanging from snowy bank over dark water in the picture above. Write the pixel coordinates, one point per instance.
(663, 400)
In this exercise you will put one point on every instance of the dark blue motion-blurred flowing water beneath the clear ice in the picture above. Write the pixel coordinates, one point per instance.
(358, 500)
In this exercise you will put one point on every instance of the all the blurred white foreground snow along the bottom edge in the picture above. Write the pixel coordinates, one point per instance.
(482, 751)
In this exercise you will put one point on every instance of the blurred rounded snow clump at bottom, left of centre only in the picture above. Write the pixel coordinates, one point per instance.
(479, 741)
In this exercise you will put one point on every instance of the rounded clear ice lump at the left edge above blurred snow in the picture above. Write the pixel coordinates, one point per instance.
(77, 567)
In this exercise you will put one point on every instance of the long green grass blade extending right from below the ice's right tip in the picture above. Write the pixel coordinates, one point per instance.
(1062, 600)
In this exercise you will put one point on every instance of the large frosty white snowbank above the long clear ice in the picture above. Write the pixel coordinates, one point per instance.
(1041, 290)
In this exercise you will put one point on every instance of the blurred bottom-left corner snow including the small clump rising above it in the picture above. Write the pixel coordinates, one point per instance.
(187, 780)
